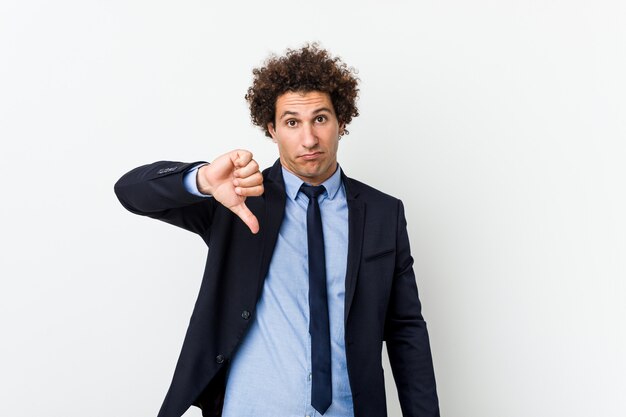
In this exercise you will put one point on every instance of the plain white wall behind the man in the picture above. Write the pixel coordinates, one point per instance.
(501, 125)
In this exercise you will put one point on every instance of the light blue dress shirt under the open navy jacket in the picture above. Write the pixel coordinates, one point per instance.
(270, 374)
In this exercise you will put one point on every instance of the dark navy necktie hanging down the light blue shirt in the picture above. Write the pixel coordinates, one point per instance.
(321, 389)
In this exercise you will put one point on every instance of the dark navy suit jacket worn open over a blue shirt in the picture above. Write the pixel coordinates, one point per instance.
(381, 301)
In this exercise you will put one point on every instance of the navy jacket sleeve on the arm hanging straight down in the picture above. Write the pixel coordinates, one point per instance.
(406, 336)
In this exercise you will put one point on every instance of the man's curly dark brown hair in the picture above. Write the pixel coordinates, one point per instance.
(302, 70)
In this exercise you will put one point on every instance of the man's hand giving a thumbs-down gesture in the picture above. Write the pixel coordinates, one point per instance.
(231, 178)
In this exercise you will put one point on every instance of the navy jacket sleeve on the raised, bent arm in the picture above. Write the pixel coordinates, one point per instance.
(157, 190)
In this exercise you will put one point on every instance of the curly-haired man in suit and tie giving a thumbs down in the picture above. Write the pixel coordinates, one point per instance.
(308, 270)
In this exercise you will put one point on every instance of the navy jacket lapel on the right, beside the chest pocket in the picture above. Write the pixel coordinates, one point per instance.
(356, 224)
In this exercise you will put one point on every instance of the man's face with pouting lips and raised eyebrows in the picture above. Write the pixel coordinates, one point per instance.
(307, 134)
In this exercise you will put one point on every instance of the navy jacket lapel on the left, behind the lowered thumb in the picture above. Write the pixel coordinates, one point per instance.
(274, 196)
